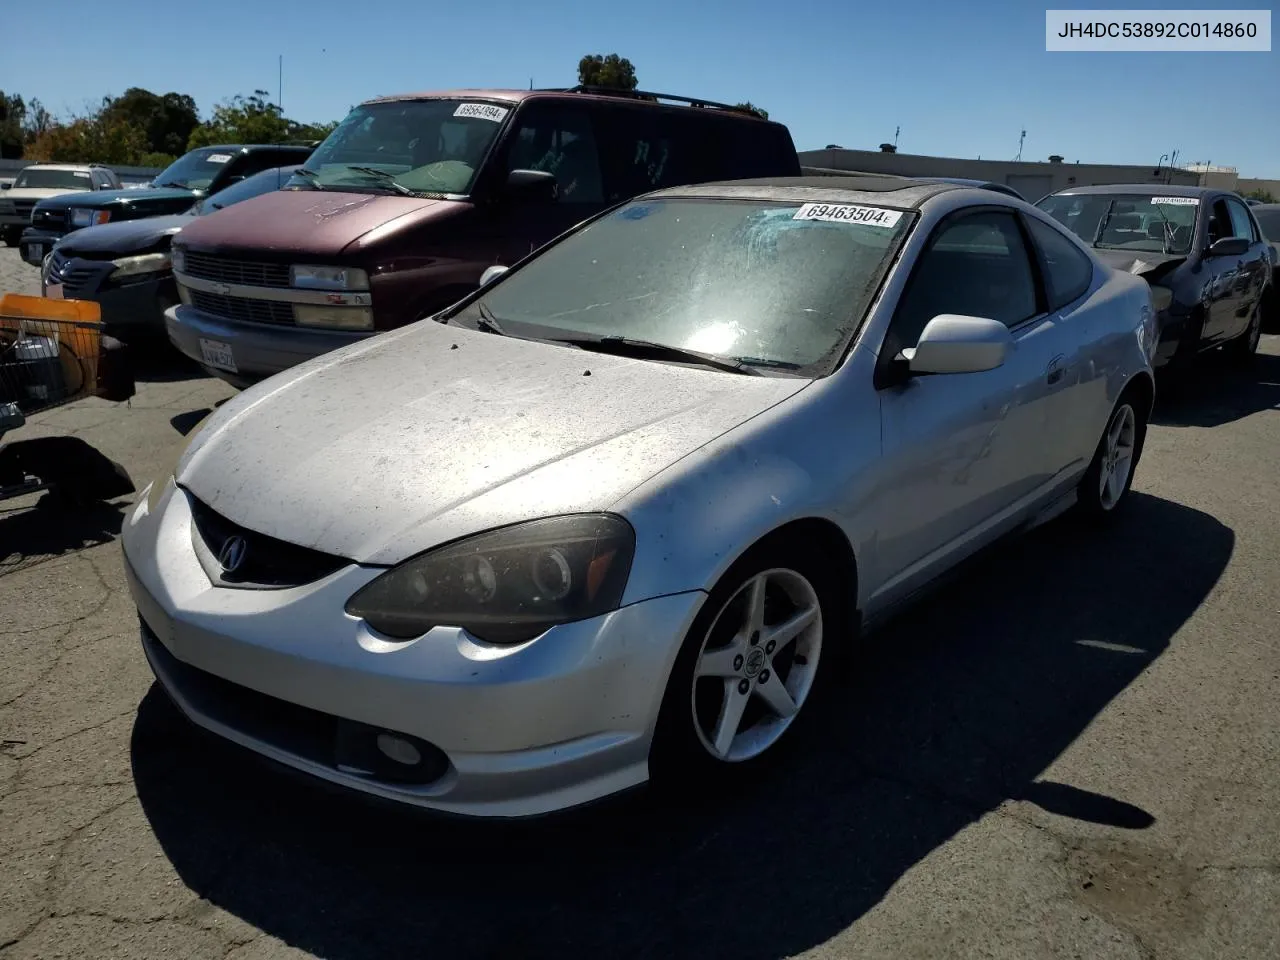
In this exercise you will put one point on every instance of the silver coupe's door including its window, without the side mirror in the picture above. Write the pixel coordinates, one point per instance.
(963, 454)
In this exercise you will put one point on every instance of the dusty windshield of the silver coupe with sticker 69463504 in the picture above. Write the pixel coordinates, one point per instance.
(751, 281)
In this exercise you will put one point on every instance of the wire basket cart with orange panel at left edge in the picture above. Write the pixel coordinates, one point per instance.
(47, 360)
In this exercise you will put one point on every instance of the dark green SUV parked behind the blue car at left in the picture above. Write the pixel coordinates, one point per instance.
(196, 175)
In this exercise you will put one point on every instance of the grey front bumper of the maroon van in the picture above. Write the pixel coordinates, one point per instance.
(258, 350)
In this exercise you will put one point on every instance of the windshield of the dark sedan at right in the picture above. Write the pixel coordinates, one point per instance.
(1151, 223)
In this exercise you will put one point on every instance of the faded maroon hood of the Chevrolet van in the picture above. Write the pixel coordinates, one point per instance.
(321, 223)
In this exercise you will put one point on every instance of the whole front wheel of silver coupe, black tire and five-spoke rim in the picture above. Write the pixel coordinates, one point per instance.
(728, 668)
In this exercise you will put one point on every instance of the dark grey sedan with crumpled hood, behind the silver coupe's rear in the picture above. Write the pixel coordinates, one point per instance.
(1200, 249)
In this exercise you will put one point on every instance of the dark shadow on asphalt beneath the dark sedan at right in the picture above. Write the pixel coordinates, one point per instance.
(1217, 392)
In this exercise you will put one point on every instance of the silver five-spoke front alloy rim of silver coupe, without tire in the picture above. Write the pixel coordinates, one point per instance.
(757, 665)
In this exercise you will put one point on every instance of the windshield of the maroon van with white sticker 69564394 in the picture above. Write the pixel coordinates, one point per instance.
(426, 147)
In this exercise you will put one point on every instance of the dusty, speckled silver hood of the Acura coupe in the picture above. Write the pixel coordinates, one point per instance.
(431, 433)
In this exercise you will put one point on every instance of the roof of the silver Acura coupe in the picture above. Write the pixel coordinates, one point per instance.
(842, 190)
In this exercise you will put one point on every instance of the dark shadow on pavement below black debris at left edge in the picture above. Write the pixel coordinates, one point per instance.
(49, 529)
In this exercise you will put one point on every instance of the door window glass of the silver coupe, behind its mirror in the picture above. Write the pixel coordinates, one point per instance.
(976, 266)
